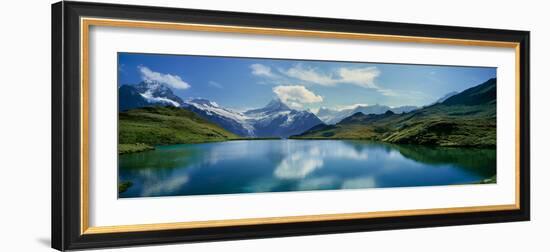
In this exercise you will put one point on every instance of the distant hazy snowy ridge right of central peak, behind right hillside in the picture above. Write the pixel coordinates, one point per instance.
(331, 116)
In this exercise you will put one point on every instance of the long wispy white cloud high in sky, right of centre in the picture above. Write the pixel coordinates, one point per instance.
(363, 77)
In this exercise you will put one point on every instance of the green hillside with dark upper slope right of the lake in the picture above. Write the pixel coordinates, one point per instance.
(466, 119)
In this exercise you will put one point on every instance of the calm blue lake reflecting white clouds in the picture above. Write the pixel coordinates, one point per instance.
(250, 166)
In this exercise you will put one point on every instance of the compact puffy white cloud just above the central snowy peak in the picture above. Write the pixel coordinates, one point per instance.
(295, 95)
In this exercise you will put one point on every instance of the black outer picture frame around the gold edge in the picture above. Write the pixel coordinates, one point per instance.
(66, 135)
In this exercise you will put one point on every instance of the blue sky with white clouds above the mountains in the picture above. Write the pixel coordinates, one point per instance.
(244, 83)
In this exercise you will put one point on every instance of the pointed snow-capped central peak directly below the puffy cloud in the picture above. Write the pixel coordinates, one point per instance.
(277, 119)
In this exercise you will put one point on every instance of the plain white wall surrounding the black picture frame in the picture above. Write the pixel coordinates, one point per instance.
(25, 127)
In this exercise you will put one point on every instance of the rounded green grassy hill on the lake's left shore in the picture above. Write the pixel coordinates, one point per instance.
(139, 129)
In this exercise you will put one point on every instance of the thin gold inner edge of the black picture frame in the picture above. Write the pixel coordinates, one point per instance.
(85, 24)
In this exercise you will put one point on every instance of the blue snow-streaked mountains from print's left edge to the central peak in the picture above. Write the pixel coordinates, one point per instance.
(274, 120)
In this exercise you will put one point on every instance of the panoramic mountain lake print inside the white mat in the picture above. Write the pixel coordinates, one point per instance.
(203, 125)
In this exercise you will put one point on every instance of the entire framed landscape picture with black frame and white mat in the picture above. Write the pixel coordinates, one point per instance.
(180, 125)
